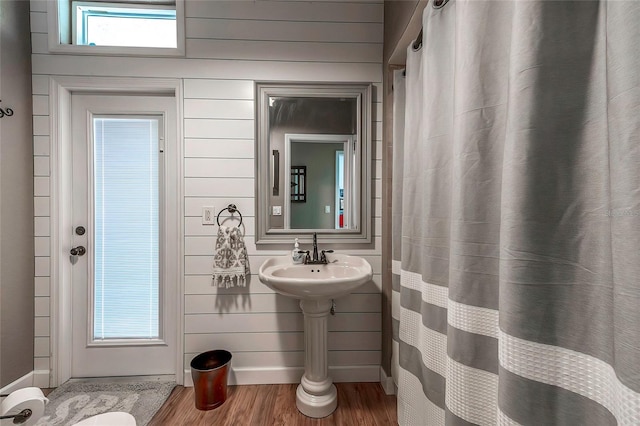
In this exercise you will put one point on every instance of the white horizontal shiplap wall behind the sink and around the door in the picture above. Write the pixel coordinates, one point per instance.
(230, 45)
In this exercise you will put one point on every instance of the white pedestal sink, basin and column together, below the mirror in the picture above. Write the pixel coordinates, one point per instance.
(315, 286)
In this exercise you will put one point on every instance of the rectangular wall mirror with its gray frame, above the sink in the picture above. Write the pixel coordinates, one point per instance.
(313, 162)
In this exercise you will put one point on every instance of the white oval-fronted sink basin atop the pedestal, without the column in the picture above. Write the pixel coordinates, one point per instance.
(339, 277)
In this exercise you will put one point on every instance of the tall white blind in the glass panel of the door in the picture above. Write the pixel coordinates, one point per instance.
(126, 228)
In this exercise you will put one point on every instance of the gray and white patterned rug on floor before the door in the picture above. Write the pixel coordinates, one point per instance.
(75, 401)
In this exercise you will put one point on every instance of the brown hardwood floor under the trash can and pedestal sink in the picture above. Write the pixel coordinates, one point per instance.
(358, 404)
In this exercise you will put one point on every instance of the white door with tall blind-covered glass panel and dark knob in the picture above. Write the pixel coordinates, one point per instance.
(123, 309)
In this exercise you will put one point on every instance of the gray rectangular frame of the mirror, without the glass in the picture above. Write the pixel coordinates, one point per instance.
(363, 93)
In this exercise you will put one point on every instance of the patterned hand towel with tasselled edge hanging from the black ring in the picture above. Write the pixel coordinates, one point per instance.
(230, 263)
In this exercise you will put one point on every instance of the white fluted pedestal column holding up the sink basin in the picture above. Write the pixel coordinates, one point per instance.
(316, 395)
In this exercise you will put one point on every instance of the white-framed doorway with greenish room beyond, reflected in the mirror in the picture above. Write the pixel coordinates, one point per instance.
(325, 160)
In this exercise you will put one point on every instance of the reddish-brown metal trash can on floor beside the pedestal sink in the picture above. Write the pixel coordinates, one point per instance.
(209, 372)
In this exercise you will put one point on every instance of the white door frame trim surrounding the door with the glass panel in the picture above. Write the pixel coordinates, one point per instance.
(60, 91)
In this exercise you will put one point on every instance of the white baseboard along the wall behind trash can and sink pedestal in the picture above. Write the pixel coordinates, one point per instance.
(278, 375)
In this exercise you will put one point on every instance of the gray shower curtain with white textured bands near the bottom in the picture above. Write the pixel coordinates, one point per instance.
(516, 216)
